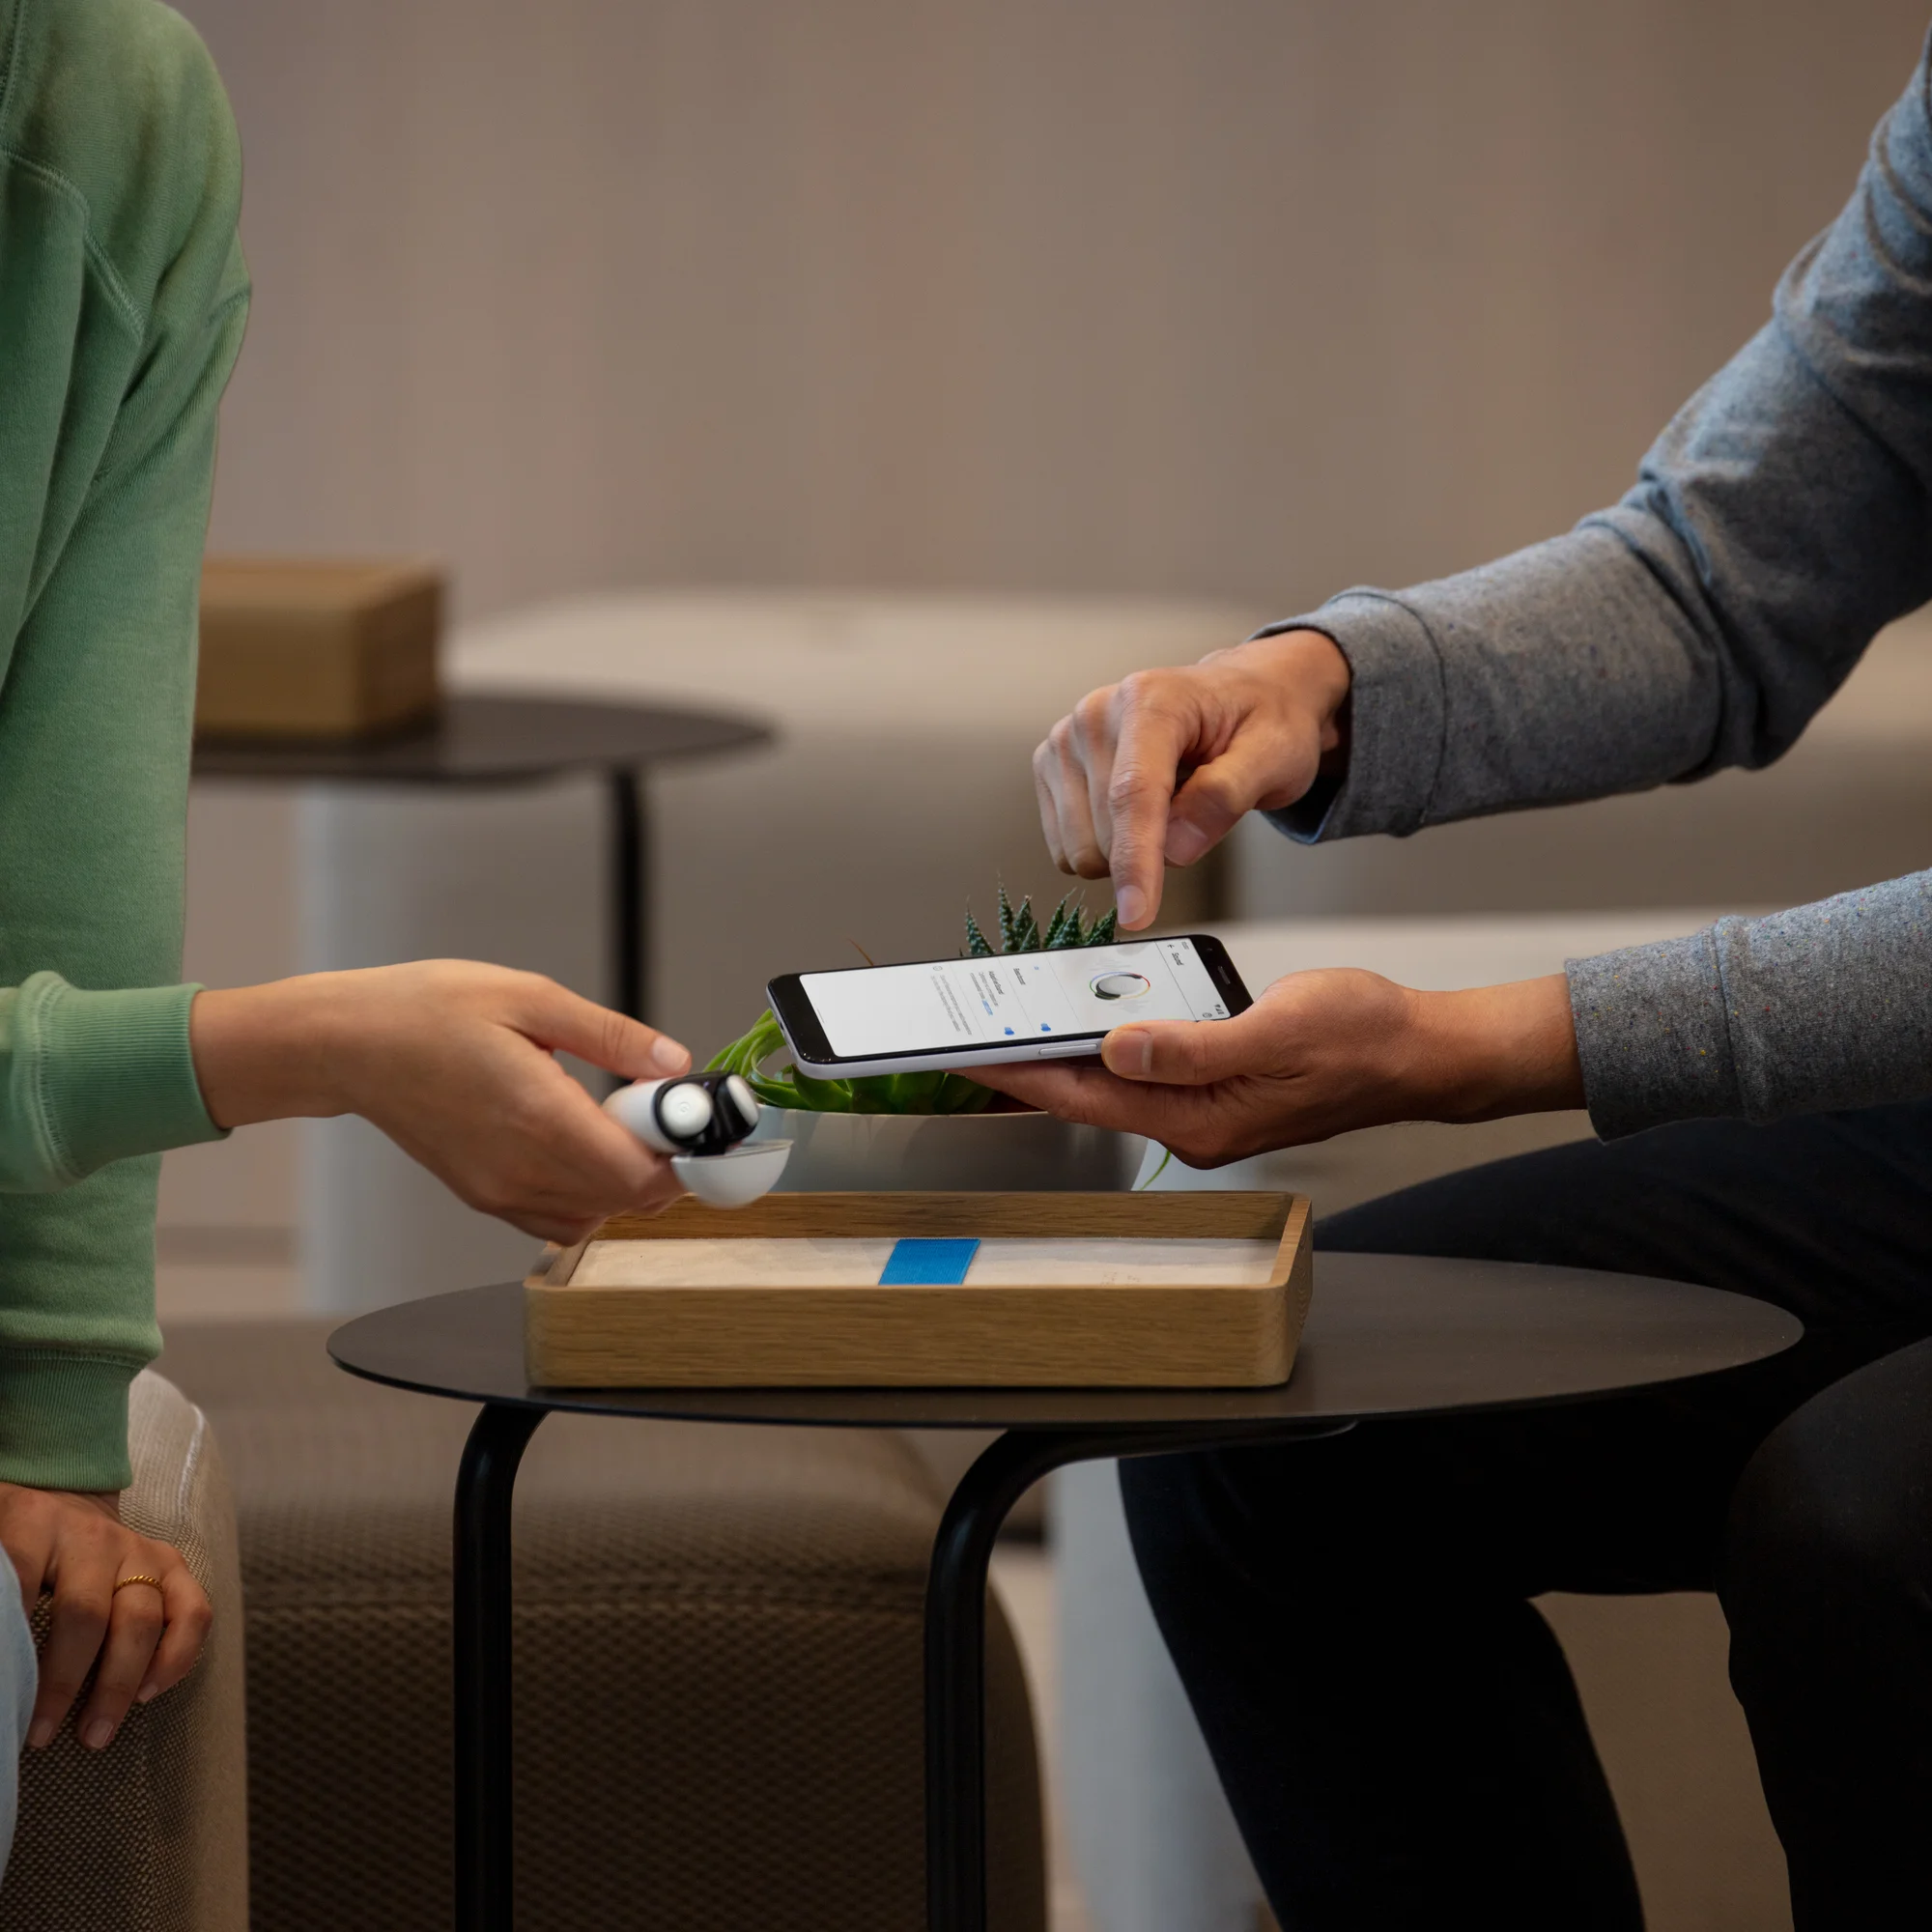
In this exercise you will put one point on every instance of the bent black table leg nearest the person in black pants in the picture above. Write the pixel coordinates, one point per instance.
(955, 1634)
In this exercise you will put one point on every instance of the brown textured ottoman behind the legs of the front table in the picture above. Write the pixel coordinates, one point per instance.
(720, 1703)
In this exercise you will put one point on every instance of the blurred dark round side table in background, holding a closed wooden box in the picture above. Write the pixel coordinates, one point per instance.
(521, 741)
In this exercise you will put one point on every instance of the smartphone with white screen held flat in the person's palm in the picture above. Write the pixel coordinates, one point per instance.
(1008, 1008)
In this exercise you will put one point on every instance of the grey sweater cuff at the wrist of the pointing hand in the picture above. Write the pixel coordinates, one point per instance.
(1398, 710)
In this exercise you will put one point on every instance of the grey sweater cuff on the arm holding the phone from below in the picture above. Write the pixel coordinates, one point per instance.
(1653, 1037)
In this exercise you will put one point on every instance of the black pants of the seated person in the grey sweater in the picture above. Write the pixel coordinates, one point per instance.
(1396, 1724)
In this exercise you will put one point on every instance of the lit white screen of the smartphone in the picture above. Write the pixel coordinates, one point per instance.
(1019, 996)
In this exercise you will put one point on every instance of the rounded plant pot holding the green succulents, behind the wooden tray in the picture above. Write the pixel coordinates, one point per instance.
(950, 1152)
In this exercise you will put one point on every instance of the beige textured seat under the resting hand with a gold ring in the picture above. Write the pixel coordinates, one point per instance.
(150, 1834)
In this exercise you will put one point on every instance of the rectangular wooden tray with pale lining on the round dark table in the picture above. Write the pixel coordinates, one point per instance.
(1067, 1292)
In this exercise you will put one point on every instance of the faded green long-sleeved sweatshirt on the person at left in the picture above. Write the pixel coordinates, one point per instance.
(123, 302)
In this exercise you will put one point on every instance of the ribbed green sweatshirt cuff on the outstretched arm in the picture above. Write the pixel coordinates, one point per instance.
(117, 1075)
